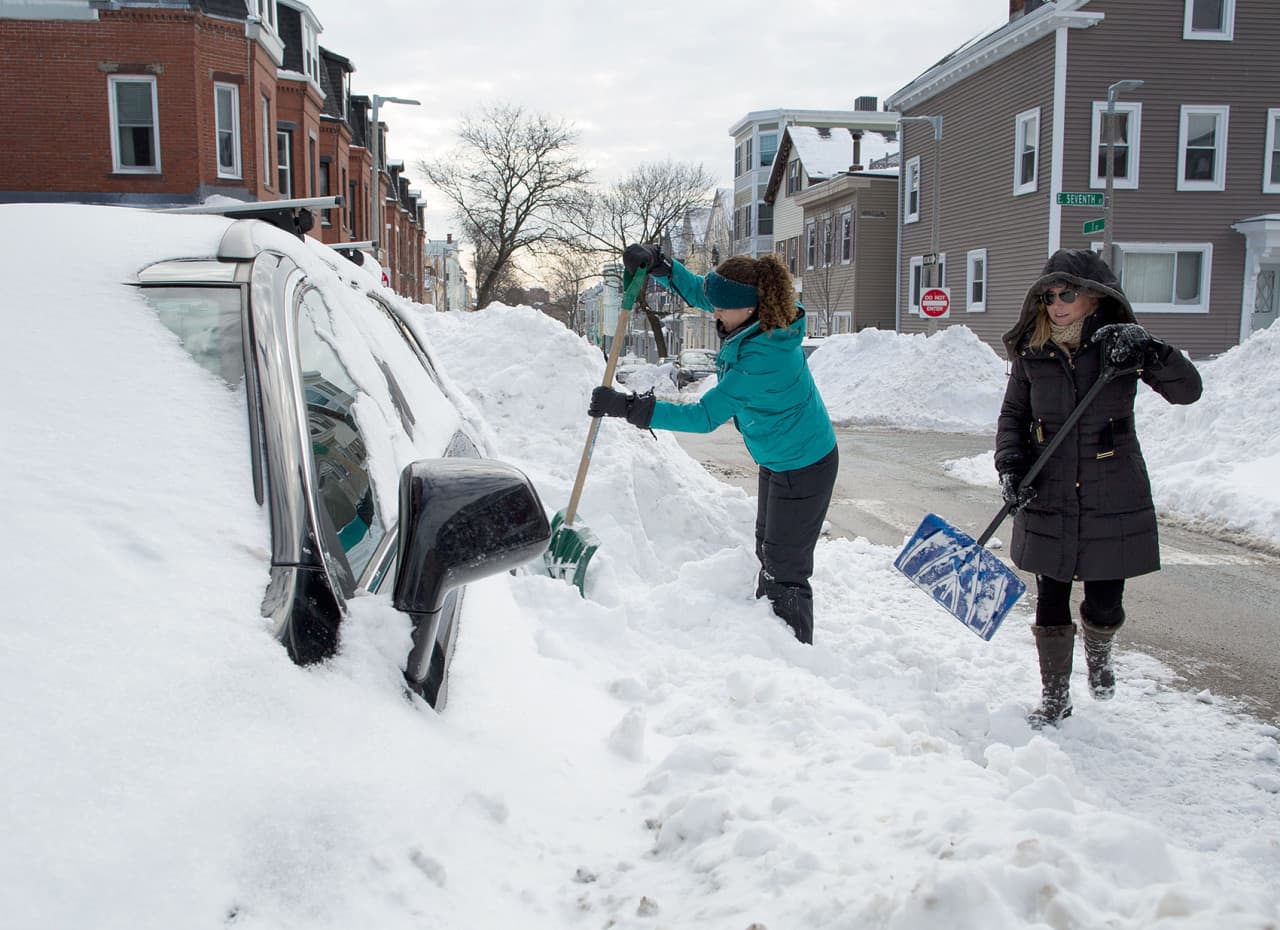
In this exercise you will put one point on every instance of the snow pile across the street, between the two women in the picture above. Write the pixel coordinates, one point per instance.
(950, 382)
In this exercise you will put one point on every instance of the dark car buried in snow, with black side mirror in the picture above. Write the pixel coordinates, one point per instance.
(360, 475)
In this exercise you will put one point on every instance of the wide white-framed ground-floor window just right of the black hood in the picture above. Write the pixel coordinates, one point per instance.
(1171, 278)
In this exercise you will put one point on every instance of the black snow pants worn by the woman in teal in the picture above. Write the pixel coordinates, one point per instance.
(793, 507)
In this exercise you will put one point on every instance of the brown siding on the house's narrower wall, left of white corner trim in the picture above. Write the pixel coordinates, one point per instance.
(980, 209)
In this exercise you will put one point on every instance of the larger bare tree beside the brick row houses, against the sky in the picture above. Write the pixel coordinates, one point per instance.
(511, 180)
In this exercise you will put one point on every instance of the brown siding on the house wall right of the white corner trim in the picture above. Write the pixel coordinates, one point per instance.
(1244, 74)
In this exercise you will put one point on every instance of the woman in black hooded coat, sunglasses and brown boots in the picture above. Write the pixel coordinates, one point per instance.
(1089, 515)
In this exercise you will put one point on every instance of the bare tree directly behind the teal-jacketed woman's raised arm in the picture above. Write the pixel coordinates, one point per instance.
(650, 207)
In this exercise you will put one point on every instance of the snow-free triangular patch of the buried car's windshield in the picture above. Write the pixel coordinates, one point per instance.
(208, 322)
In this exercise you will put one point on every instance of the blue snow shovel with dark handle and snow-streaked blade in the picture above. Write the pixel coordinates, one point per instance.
(957, 571)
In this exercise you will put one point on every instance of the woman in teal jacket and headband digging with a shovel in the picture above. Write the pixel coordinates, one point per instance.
(766, 388)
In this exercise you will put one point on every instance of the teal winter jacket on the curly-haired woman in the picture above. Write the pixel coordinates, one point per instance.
(764, 384)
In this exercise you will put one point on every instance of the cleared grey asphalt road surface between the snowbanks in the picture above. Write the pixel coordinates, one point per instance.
(1213, 613)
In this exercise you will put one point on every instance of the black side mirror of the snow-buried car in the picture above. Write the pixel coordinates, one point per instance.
(463, 520)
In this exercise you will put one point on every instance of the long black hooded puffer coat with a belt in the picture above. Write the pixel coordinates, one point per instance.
(1092, 517)
